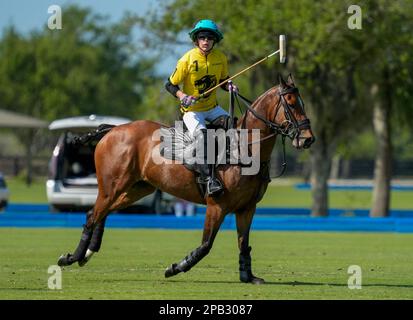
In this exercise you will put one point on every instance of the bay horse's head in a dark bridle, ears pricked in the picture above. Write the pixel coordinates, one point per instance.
(290, 115)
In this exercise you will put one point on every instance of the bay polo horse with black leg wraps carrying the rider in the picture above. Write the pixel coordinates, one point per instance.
(126, 172)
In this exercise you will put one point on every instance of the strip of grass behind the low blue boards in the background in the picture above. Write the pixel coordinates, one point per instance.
(278, 195)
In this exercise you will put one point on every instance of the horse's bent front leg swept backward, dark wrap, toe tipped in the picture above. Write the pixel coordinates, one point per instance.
(213, 219)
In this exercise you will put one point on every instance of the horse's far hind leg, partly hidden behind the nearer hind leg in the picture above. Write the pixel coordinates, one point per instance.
(138, 190)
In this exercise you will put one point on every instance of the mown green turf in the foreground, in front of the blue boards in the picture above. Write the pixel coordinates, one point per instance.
(131, 264)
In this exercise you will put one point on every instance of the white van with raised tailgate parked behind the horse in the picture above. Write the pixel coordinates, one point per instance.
(72, 183)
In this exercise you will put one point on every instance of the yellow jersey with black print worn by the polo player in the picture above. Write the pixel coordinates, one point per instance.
(198, 73)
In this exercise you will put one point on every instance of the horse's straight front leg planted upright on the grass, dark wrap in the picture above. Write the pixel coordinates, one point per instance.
(244, 220)
